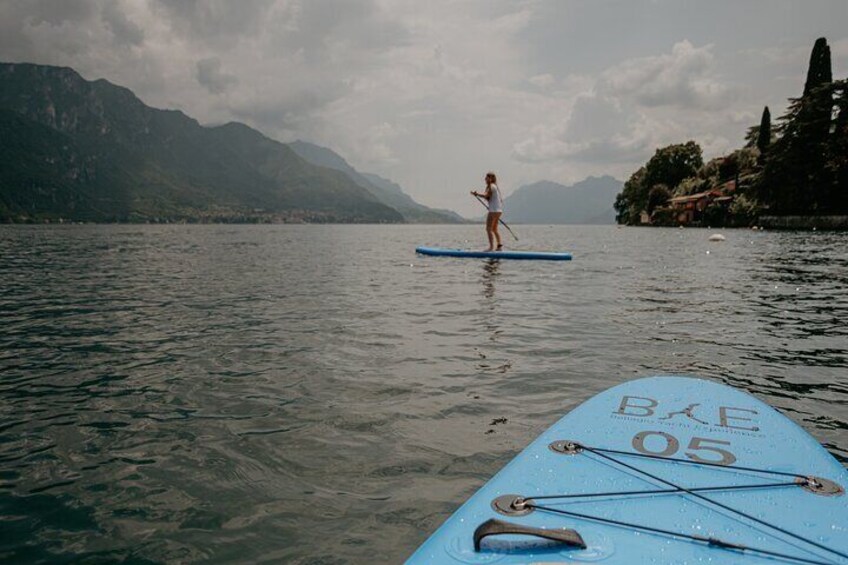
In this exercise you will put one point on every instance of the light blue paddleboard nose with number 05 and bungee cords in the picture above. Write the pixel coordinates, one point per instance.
(657, 470)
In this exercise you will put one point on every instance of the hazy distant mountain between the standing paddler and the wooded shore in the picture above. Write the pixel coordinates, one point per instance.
(587, 202)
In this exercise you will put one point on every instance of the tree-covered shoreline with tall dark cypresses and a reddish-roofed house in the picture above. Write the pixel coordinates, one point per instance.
(797, 168)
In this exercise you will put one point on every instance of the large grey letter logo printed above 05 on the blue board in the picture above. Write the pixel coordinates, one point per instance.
(728, 417)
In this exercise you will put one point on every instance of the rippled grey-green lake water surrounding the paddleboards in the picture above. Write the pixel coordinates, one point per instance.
(320, 394)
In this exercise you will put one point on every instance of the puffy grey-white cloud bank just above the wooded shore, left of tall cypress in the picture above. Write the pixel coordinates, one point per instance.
(633, 107)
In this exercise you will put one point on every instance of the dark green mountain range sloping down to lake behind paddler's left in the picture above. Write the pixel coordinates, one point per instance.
(92, 151)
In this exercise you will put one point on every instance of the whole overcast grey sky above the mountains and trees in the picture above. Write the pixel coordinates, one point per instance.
(434, 93)
